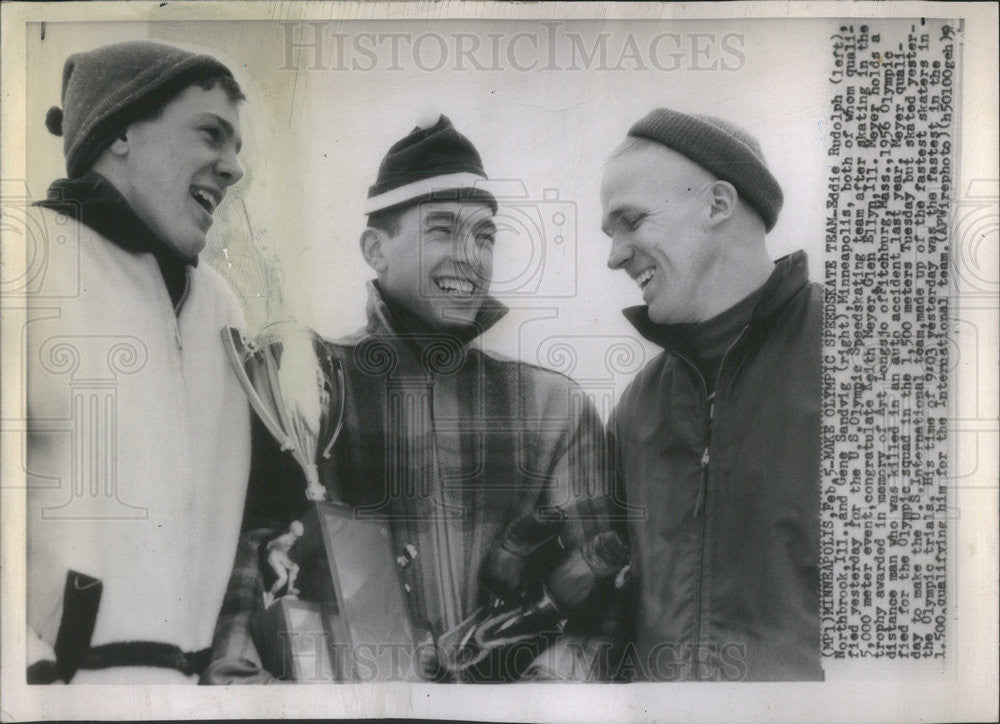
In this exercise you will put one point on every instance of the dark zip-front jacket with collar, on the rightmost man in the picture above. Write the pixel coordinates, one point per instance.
(727, 555)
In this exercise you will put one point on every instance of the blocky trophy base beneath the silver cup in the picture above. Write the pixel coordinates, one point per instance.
(352, 622)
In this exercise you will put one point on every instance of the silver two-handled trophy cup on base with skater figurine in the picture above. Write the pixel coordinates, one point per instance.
(344, 616)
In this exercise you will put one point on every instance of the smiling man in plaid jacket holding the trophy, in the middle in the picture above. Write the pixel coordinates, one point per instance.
(480, 464)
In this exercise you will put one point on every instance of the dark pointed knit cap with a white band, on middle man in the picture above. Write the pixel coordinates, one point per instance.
(436, 162)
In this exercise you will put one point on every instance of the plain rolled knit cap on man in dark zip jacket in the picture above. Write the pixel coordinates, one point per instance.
(725, 149)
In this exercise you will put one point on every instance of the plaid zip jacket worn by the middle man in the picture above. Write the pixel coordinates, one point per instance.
(449, 444)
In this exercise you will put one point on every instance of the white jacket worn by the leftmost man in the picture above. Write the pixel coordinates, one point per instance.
(138, 443)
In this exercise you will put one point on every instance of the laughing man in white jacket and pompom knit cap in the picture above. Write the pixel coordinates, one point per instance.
(132, 532)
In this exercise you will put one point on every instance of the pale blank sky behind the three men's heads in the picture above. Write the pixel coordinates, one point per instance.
(315, 131)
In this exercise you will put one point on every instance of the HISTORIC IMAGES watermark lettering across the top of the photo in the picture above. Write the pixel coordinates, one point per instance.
(322, 45)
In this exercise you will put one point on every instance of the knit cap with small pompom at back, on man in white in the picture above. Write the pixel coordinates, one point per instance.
(106, 89)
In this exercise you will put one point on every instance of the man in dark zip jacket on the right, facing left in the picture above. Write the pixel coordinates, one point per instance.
(717, 439)
